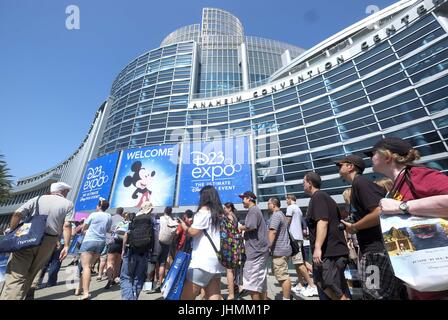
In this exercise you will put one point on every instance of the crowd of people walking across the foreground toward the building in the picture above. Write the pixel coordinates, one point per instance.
(125, 244)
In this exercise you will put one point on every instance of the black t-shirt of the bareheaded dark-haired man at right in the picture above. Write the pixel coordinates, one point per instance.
(323, 207)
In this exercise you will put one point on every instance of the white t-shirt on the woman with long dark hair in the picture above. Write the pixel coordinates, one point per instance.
(203, 256)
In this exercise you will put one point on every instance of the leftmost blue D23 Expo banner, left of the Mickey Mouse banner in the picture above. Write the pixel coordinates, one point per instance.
(97, 182)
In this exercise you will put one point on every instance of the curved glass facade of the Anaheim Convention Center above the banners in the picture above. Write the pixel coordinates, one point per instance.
(302, 111)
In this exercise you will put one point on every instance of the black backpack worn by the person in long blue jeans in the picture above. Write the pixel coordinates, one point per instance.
(141, 234)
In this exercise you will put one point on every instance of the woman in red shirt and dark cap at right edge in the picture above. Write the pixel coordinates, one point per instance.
(417, 190)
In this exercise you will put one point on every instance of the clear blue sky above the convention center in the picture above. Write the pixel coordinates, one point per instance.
(52, 80)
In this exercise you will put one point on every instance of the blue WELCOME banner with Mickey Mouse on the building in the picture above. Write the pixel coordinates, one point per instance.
(146, 174)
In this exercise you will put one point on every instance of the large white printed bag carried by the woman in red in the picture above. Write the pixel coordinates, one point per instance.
(418, 250)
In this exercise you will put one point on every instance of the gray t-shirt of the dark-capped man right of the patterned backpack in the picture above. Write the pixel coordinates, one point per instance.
(256, 241)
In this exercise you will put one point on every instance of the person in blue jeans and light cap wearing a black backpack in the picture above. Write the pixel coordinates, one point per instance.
(137, 246)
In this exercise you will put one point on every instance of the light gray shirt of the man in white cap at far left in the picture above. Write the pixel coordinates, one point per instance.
(55, 206)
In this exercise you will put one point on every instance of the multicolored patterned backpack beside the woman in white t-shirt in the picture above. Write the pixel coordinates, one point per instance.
(232, 253)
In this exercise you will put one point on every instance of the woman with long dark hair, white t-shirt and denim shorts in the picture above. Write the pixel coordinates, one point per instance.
(204, 271)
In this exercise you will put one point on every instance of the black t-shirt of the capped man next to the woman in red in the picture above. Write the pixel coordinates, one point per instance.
(366, 196)
